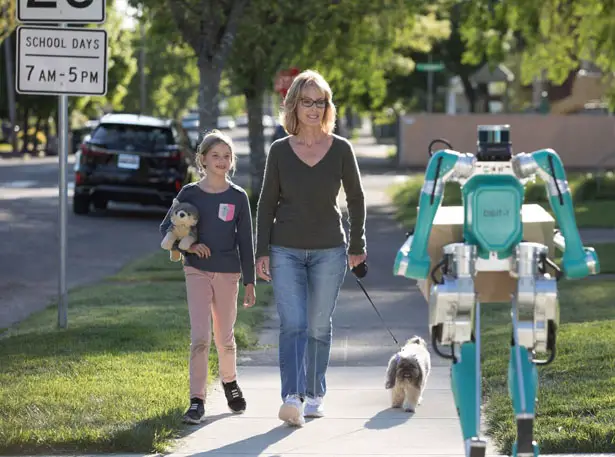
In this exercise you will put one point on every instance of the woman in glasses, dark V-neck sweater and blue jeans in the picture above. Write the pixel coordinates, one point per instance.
(301, 243)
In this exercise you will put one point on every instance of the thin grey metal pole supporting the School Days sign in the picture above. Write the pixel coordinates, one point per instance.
(63, 185)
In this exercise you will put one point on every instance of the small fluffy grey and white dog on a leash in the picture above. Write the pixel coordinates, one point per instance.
(407, 374)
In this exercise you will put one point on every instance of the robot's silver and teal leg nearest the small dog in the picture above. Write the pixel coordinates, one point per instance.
(454, 319)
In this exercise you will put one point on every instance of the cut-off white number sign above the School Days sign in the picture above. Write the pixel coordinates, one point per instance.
(68, 11)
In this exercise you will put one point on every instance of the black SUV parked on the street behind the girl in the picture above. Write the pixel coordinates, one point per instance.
(131, 158)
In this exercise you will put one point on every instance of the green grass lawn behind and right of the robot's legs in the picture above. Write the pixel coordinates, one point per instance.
(576, 396)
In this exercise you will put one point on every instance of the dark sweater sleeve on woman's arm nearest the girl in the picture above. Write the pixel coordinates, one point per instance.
(267, 203)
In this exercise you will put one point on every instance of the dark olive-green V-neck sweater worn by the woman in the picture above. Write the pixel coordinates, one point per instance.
(298, 203)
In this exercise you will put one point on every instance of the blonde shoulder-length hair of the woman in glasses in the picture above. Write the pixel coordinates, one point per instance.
(289, 119)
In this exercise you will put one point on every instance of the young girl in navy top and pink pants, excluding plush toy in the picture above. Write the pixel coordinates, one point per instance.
(223, 253)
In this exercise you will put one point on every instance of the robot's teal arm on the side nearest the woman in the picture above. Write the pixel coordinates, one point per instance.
(443, 166)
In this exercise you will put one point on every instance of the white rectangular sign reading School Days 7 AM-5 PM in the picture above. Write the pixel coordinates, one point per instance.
(61, 61)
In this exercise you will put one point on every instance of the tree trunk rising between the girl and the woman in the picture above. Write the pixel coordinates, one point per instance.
(256, 136)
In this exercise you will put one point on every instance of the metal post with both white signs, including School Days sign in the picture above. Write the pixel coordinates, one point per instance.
(61, 61)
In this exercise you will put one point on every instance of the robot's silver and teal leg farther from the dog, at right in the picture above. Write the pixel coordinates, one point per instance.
(535, 317)
